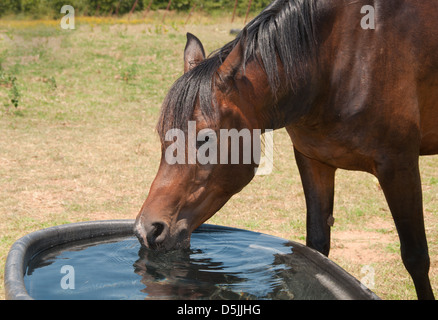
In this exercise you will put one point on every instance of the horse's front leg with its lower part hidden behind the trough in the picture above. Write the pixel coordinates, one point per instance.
(318, 181)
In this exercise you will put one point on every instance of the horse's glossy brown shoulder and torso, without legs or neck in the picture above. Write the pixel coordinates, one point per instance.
(377, 89)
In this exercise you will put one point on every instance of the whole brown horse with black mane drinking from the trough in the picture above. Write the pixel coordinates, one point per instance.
(352, 95)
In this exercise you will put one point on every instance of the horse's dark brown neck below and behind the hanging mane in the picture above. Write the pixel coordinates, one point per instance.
(298, 93)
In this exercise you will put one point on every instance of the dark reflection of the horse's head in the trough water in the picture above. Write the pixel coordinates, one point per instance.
(188, 275)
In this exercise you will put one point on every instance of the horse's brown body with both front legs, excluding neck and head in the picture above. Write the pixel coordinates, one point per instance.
(378, 112)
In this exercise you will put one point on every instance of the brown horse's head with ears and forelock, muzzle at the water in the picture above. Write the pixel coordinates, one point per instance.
(201, 166)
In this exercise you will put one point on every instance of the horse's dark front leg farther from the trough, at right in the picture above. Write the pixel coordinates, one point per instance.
(401, 183)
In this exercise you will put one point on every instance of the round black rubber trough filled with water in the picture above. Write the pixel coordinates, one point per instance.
(222, 263)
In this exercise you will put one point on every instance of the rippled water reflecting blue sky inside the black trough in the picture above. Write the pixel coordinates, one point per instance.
(222, 263)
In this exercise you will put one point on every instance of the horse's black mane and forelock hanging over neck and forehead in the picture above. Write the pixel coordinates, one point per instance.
(284, 29)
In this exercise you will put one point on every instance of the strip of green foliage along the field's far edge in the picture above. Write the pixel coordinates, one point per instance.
(51, 8)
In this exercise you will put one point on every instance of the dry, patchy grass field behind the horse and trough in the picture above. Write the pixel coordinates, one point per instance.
(77, 142)
